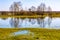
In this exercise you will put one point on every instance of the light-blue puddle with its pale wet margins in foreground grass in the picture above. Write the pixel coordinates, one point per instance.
(22, 32)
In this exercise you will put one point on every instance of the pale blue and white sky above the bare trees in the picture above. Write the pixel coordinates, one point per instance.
(54, 4)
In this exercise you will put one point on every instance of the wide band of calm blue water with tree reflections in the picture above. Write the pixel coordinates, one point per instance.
(30, 23)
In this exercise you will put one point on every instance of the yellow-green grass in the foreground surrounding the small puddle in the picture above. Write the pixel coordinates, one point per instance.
(39, 34)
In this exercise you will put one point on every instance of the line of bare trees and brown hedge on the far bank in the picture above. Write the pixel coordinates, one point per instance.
(17, 9)
